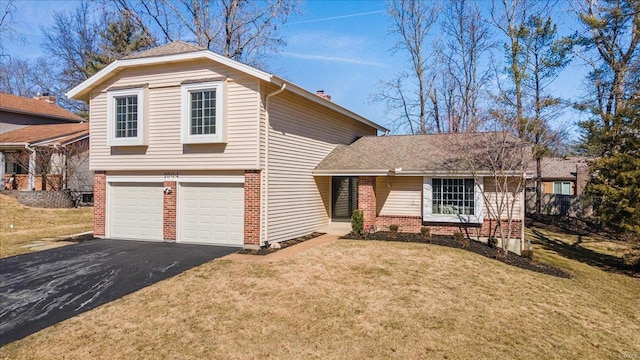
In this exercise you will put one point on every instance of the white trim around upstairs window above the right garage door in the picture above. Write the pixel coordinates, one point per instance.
(185, 123)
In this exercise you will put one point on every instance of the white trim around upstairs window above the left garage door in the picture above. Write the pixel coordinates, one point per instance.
(139, 140)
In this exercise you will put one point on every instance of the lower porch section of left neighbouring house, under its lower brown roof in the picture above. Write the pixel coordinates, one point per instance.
(46, 157)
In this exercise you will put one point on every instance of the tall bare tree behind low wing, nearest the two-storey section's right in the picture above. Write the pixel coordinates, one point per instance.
(409, 94)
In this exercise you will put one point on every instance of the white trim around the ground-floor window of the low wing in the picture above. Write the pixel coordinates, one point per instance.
(427, 203)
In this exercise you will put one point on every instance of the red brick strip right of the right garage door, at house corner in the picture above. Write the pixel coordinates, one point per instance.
(252, 207)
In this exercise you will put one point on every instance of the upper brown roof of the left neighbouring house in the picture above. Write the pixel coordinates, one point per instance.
(35, 107)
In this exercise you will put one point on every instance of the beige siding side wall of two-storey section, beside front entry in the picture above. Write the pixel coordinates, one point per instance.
(302, 133)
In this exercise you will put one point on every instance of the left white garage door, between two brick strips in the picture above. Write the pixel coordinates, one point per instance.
(135, 211)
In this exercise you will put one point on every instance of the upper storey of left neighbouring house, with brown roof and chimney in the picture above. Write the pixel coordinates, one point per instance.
(19, 111)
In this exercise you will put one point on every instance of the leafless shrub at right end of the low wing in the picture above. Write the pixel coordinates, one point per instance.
(498, 160)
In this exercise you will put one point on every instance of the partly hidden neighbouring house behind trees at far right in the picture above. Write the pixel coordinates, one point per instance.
(564, 176)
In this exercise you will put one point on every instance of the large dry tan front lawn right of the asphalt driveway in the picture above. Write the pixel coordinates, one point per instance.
(357, 299)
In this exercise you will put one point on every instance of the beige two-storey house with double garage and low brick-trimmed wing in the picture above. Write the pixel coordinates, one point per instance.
(190, 146)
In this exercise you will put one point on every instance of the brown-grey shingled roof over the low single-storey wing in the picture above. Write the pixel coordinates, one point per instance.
(421, 153)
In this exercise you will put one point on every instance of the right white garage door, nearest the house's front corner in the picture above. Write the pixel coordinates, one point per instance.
(212, 214)
